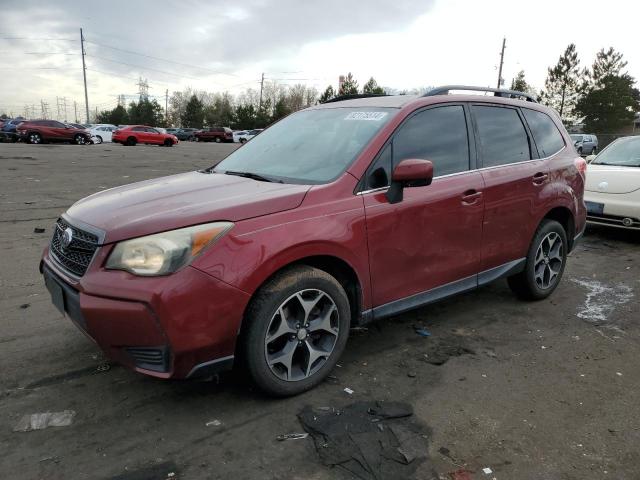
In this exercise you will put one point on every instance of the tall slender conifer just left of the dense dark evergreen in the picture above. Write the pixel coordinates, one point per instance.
(562, 86)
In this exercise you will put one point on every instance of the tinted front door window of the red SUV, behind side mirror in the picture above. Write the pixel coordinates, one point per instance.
(438, 134)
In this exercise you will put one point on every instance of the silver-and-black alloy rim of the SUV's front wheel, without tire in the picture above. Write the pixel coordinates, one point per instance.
(301, 335)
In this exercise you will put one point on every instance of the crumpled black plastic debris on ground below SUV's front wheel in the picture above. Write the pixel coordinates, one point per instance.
(371, 440)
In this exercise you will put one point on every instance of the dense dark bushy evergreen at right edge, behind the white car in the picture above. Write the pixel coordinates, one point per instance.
(610, 107)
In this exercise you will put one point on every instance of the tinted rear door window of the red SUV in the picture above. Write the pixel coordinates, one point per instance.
(503, 138)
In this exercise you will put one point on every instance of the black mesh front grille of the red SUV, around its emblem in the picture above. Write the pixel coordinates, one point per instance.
(77, 256)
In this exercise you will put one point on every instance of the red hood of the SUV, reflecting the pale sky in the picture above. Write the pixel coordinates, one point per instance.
(182, 200)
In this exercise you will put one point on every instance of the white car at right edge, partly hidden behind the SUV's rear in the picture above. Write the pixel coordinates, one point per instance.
(612, 189)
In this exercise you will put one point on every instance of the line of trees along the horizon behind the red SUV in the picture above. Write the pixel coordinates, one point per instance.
(604, 96)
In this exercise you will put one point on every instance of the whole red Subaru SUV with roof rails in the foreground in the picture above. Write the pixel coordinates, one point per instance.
(268, 258)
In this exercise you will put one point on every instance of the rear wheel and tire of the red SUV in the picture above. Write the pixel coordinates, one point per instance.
(546, 260)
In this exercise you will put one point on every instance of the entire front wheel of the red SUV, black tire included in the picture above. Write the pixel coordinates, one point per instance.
(297, 327)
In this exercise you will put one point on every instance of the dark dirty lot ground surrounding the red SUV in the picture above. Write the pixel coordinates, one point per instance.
(546, 390)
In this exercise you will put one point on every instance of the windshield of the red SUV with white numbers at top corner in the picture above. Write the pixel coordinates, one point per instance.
(309, 147)
